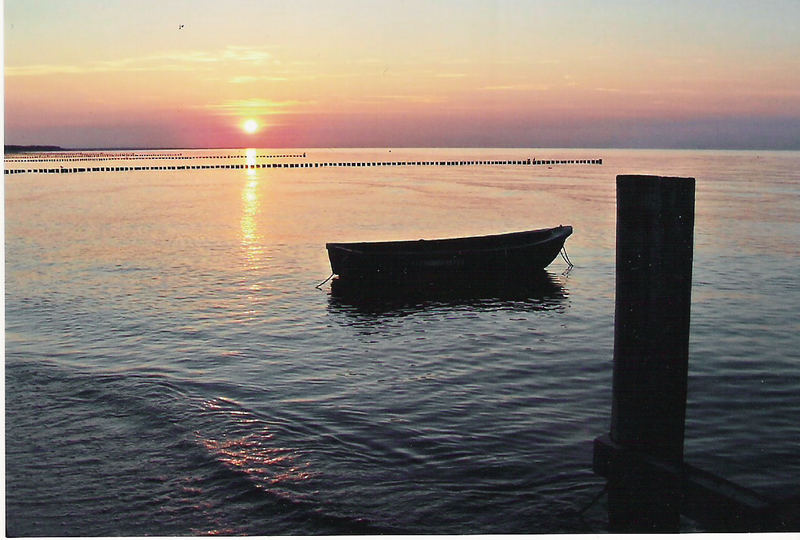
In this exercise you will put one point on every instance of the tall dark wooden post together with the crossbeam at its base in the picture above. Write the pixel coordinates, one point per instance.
(649, 484)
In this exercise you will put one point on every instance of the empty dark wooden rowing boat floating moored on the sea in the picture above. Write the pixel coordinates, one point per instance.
(473, 257)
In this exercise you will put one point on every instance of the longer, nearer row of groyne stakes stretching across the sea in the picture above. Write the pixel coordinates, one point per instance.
(303, 165)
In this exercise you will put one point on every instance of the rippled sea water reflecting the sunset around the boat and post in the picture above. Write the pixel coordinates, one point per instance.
(171, 368)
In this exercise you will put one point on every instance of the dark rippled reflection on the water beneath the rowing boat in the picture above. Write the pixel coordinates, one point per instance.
(537, 291)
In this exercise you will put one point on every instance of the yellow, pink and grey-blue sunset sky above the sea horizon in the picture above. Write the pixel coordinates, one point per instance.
(402, 73)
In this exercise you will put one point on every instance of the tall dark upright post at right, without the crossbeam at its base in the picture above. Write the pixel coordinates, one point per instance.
(655, 225)
